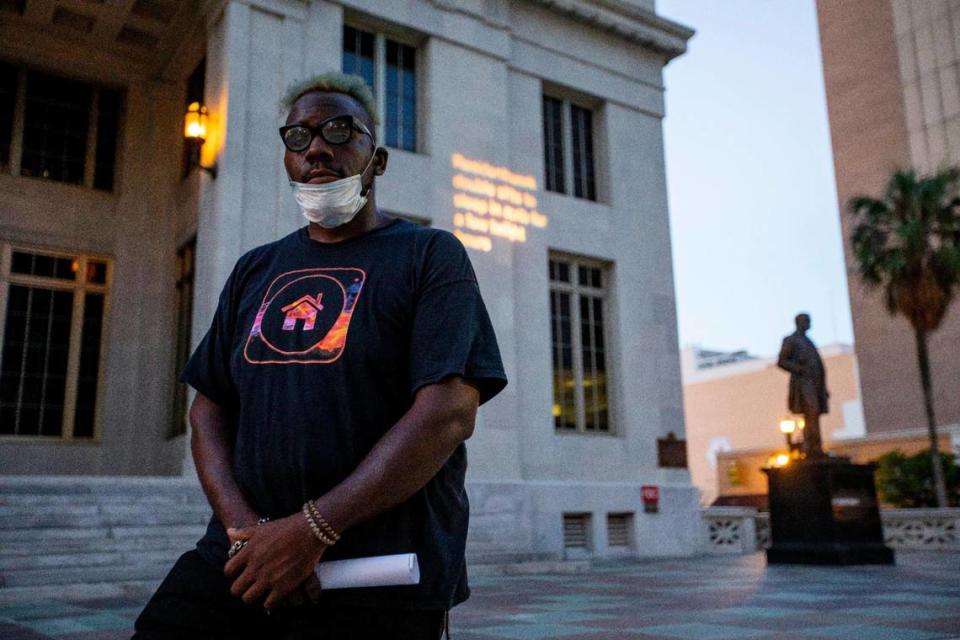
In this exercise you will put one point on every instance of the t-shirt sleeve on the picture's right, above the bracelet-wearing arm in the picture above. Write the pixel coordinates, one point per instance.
(452, 332)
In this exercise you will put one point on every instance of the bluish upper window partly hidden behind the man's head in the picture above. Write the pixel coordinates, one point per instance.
(390, 68)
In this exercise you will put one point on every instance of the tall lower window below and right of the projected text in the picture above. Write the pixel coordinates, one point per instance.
(578, 337)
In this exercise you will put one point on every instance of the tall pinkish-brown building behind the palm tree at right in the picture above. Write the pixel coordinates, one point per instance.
(892, 75)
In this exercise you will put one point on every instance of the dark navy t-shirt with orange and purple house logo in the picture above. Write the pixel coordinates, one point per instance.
(317, 350)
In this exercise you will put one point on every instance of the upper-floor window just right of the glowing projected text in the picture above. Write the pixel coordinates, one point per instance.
(569, 126)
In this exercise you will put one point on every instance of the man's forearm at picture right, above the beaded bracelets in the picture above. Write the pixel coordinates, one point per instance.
(406, 457)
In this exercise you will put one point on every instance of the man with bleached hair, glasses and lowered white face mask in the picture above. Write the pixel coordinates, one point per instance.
(335, 388)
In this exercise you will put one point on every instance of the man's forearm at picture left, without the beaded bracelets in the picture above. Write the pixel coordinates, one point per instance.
(212, 449)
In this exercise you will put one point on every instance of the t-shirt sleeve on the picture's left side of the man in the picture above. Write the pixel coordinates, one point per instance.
(208, 369)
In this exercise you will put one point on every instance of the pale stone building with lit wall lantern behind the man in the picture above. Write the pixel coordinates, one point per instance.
(530, 128)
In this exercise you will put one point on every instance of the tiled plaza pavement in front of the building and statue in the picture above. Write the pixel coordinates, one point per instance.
(713, 598)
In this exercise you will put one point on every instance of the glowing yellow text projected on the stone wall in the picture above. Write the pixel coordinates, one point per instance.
(492, 202)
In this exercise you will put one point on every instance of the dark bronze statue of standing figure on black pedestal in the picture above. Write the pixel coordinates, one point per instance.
(808, 383)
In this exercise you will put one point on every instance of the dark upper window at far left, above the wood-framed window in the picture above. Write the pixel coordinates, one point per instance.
(58, 128)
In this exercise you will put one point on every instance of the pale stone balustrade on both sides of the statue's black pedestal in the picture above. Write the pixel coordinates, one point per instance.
(745, 530)
